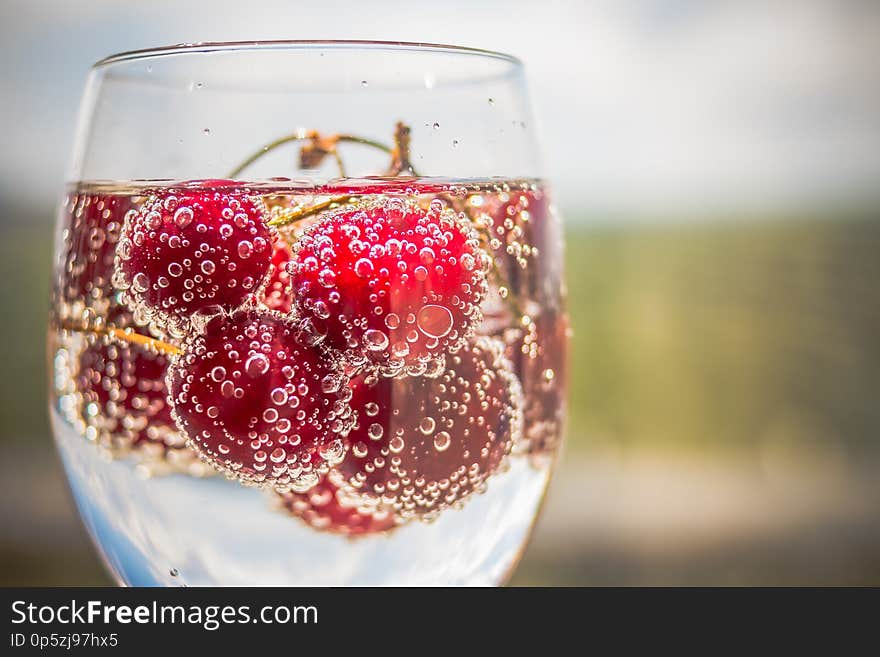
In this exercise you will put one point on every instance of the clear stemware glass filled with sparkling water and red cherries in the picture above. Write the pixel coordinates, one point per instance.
(308, 325)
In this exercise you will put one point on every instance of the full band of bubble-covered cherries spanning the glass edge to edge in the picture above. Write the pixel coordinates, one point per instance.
(372, 365)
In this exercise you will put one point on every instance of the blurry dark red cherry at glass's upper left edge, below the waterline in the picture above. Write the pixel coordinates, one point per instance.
(89, 238)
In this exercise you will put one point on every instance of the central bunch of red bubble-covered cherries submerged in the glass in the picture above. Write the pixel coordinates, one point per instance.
(339, 367)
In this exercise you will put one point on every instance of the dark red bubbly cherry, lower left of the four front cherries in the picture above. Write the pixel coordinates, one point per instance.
(258, 403)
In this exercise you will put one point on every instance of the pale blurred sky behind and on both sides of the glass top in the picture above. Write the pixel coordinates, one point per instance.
(642, 106)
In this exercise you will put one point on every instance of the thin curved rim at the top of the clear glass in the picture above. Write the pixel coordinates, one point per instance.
(300, 44)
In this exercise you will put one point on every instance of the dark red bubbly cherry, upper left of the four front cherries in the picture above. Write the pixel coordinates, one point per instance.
(179, 255)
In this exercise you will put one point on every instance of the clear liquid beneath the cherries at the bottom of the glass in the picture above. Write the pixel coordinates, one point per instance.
(178, 530)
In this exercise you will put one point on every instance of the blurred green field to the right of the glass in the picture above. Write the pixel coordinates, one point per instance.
(724, 335)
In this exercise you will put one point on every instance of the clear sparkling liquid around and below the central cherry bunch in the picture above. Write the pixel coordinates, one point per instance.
(160, 516)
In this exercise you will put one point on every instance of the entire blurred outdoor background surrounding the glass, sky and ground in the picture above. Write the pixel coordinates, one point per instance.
(718, 167)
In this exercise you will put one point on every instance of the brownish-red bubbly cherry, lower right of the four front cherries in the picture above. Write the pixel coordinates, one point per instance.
(423, 444)
